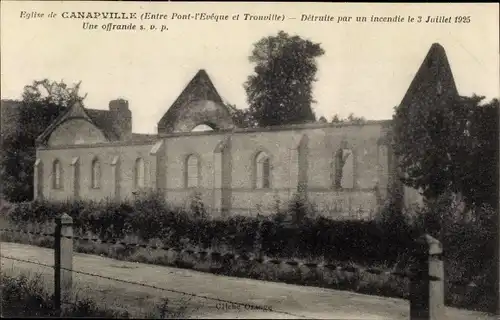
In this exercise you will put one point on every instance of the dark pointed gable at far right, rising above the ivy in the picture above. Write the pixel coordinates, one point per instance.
(434, 78)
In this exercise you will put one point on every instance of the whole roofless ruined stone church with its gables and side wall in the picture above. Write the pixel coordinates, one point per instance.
(345, 170)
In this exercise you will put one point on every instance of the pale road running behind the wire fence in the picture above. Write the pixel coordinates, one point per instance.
(286, 301)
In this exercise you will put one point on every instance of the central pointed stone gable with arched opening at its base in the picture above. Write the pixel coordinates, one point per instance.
(188, 107)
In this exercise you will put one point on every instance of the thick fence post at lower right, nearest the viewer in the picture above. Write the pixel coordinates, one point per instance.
(427, 281)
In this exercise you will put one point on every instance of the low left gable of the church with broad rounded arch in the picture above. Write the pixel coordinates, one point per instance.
(75, 113)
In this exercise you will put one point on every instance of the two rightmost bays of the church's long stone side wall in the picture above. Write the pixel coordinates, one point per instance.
(323, 142)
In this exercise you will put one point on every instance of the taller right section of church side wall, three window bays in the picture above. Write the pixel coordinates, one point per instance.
(281, 145)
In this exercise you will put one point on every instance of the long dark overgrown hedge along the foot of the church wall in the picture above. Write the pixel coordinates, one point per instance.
(385, 240)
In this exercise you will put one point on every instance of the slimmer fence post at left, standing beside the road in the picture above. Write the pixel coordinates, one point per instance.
(63, 260)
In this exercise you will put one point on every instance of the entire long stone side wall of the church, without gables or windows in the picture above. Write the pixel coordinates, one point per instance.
(281, 145)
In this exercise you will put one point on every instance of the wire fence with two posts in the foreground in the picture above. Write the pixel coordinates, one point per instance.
(426, 274)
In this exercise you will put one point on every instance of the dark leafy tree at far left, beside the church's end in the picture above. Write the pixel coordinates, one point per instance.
(41, 104)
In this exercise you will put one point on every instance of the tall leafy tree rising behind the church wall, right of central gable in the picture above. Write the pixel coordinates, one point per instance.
(280, 90)
